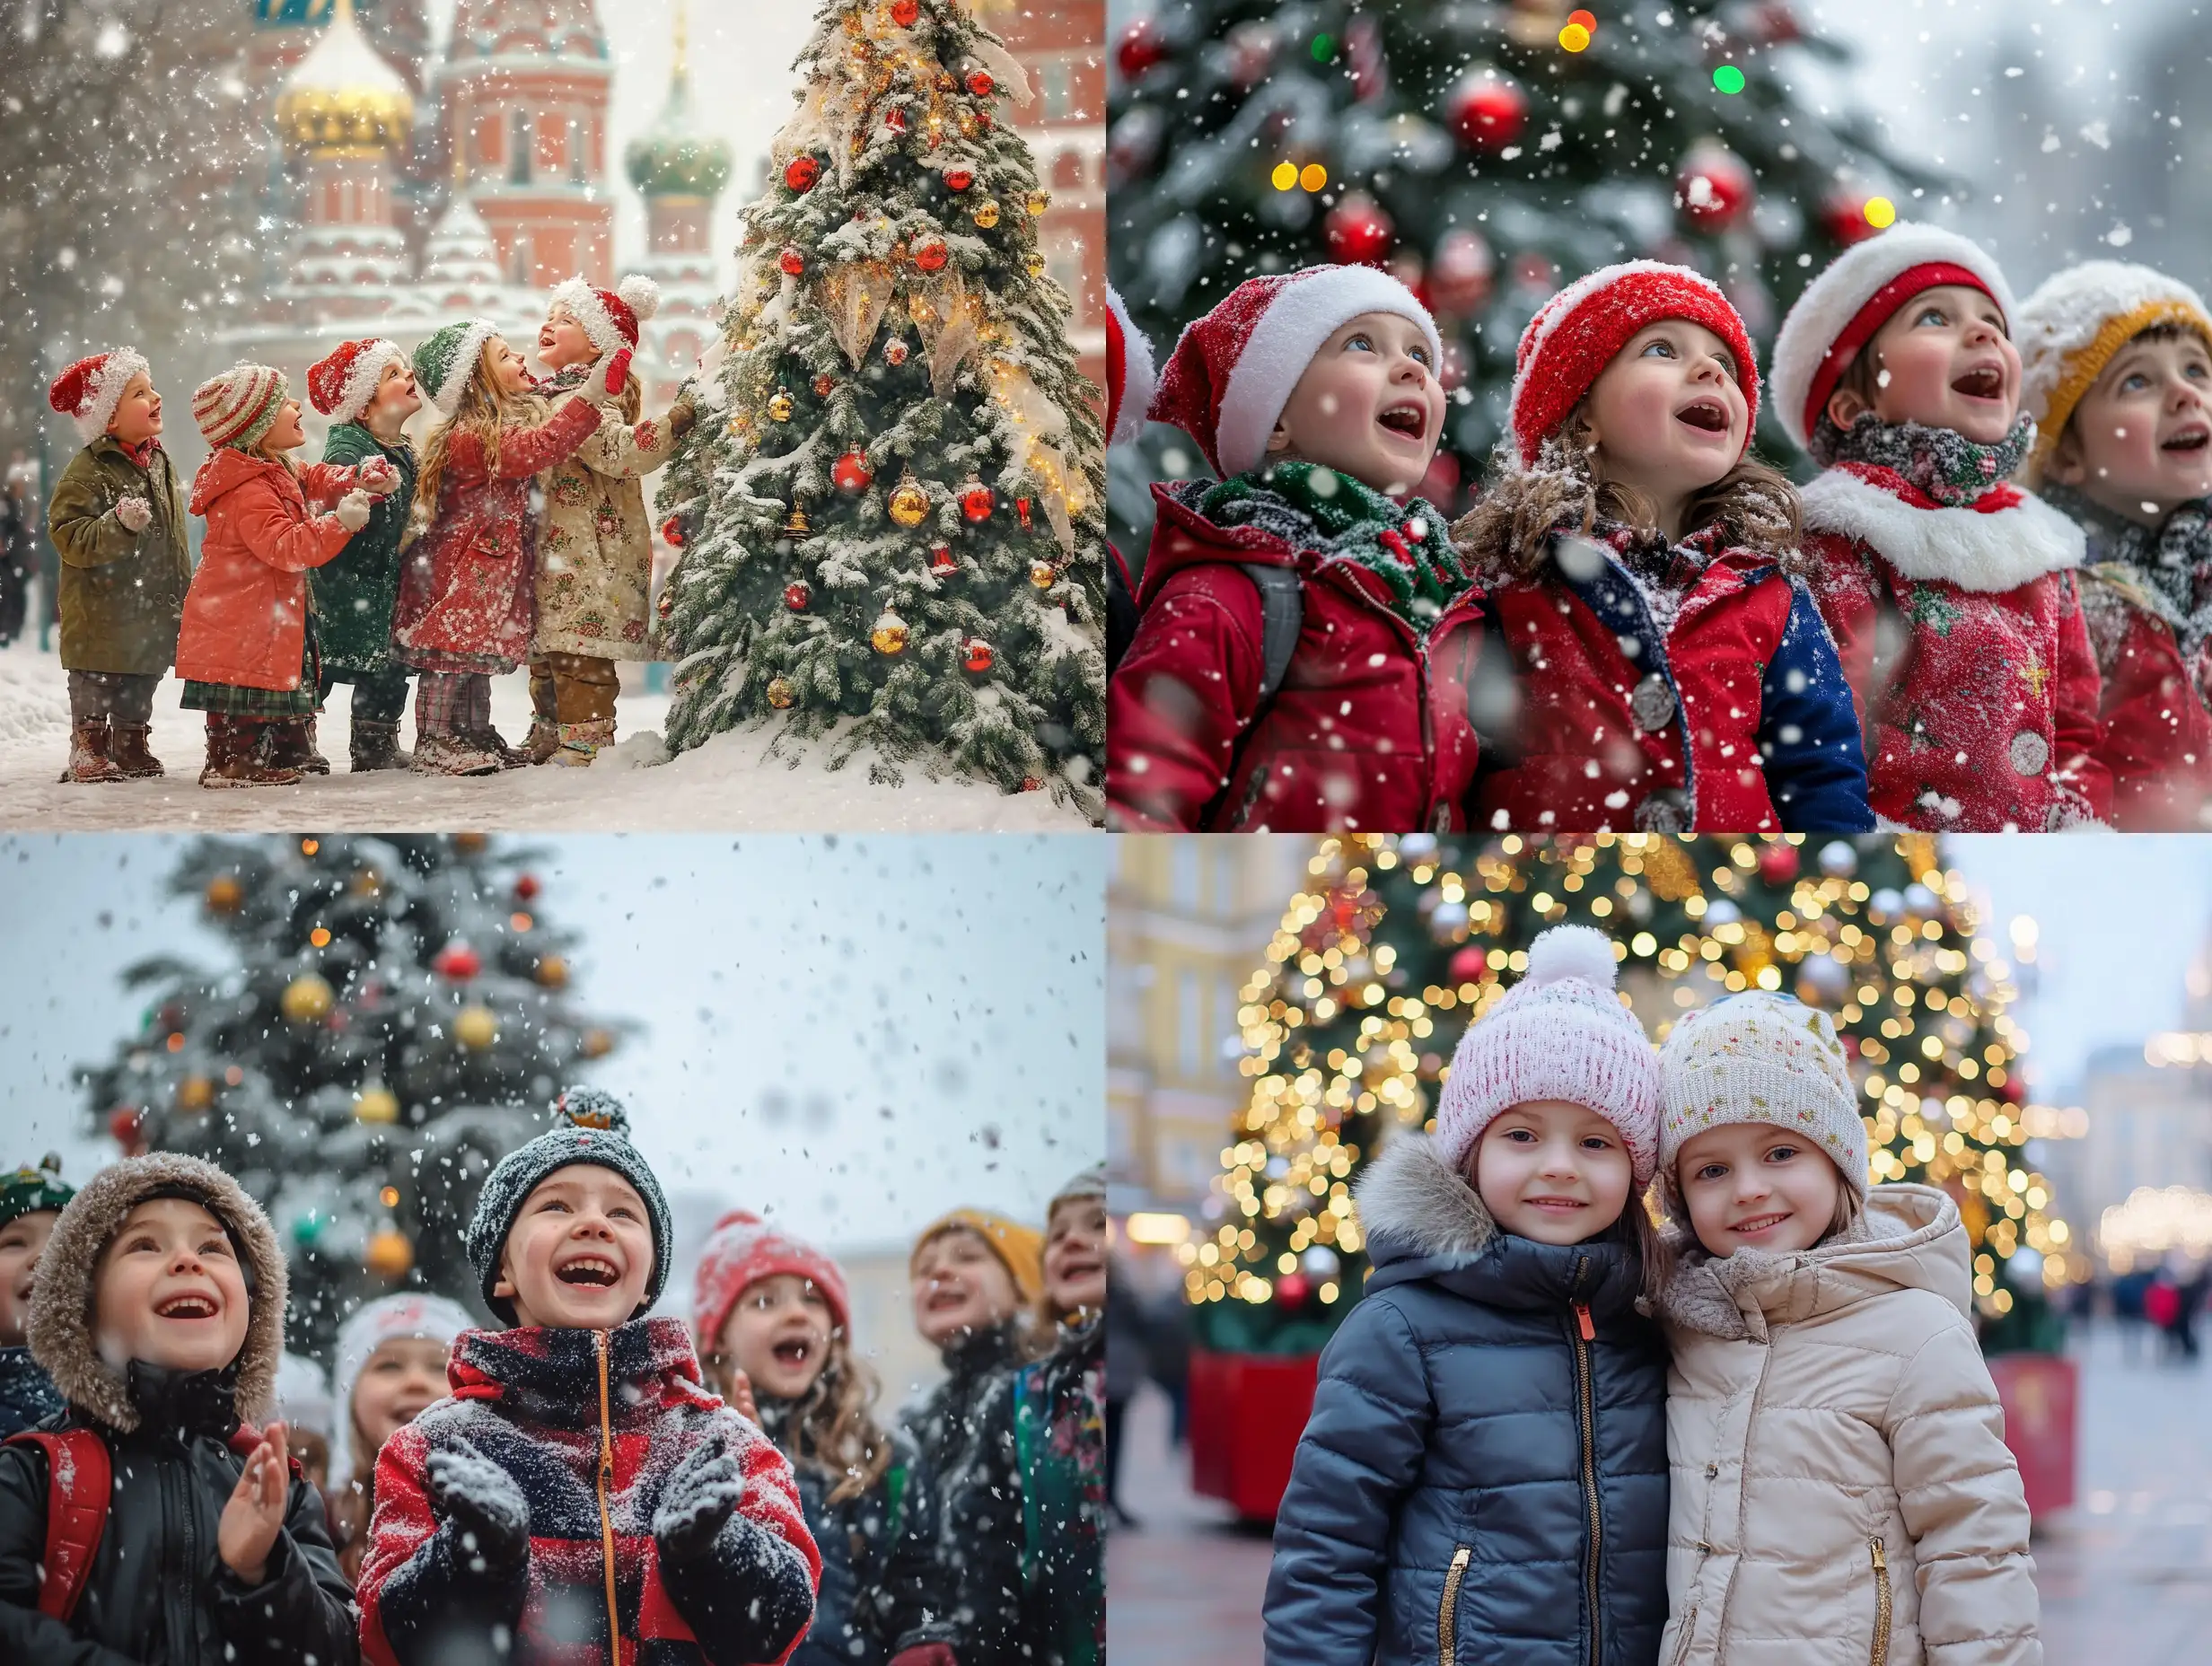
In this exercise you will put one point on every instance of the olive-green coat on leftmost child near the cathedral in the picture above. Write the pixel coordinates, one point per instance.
(121, 592)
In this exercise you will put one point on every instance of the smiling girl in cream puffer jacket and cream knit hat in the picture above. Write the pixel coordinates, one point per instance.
(1841, 1479)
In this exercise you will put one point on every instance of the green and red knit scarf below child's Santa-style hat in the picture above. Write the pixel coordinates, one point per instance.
(1317, 508)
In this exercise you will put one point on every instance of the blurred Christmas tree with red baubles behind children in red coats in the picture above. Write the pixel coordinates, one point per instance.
(1485, 154)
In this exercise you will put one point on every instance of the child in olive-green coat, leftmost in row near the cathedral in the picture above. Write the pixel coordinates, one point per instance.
(116, 521)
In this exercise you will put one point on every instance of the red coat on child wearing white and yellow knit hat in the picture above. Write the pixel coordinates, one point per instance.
(2158, 733)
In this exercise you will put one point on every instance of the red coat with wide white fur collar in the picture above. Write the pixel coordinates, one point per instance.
(1963, 636)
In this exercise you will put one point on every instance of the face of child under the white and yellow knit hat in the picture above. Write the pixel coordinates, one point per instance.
(2140, 441)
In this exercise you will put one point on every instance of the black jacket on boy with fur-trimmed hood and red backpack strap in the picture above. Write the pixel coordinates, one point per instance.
(158, 1592)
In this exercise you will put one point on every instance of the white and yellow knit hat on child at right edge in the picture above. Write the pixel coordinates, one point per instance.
(2076, 324)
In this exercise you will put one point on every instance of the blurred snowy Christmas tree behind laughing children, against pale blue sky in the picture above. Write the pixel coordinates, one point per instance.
(393, 1021)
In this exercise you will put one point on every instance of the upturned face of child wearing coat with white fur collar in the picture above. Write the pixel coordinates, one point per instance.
(1943, 362)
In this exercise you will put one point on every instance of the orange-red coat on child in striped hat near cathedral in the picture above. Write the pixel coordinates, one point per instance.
(247, 612)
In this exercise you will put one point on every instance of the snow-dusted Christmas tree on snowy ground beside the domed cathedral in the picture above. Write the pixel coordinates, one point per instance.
(893, 517)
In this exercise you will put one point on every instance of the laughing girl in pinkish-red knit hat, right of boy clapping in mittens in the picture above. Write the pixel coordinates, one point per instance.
(771, 1315)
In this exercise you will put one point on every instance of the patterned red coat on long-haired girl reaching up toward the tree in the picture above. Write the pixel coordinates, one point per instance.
(468, 585)
